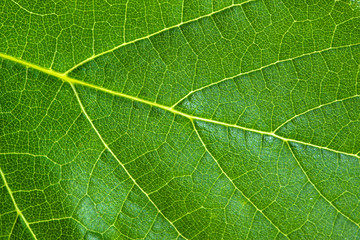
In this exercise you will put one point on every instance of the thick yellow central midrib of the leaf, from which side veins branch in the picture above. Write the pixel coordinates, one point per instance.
(68, 79)
